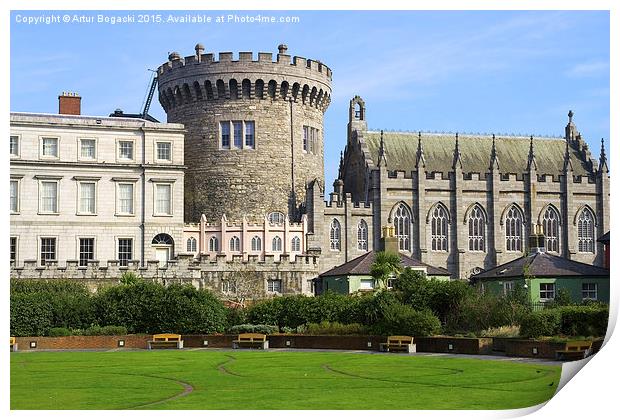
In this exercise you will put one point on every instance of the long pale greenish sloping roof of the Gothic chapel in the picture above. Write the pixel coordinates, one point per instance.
(512, 152)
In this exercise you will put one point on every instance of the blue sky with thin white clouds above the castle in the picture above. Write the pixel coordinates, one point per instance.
(465, 71)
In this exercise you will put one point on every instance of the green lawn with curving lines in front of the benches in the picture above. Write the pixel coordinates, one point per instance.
(272, 380)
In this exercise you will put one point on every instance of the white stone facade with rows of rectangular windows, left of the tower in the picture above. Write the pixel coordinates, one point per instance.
(84, 186)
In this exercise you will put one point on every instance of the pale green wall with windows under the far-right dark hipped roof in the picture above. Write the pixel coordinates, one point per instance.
(572, 284)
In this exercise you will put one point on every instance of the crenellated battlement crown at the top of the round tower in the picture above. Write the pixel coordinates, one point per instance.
(201, 77)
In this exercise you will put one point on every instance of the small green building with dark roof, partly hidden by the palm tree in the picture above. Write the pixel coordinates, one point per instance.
(354, 275)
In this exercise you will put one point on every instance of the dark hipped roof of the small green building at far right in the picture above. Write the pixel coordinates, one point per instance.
(542, 265)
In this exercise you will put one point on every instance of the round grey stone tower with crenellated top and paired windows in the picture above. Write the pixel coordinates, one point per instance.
(254, 130)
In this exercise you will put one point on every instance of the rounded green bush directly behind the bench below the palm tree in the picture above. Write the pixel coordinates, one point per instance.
(404, 320)
